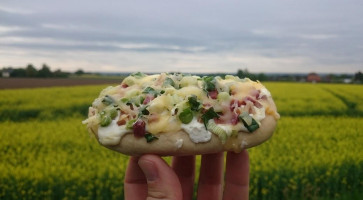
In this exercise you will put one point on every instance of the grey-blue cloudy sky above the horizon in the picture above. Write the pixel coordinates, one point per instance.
(186, 36)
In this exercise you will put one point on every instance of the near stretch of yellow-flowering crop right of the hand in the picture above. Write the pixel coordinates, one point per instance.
(309, 157)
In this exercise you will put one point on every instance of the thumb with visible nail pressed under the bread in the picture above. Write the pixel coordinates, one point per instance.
(162, 182)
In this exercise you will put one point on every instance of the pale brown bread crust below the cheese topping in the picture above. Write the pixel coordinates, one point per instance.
(168, 145)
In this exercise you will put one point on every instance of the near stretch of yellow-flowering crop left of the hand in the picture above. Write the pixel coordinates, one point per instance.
(55, 160)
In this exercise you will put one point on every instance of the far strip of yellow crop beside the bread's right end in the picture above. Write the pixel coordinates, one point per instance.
(304, 99)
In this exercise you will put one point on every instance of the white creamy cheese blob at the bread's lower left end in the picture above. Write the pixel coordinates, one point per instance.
(111, 134)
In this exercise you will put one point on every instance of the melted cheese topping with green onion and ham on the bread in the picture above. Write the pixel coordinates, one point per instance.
(165, 96)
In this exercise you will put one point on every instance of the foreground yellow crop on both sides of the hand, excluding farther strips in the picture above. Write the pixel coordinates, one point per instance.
(307, 158)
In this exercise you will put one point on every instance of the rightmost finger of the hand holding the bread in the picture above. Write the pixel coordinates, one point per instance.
(237, 176)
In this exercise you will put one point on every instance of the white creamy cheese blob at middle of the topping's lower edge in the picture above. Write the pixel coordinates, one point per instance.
(197, 131)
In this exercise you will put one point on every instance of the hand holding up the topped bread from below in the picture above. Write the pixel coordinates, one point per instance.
(150, 177)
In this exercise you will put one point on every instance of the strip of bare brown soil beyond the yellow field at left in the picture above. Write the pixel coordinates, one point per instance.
(13, 83)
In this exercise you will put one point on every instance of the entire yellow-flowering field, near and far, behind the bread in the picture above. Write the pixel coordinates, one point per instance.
(315, 153)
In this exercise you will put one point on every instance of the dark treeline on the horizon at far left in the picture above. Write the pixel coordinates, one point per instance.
(31, 72)
